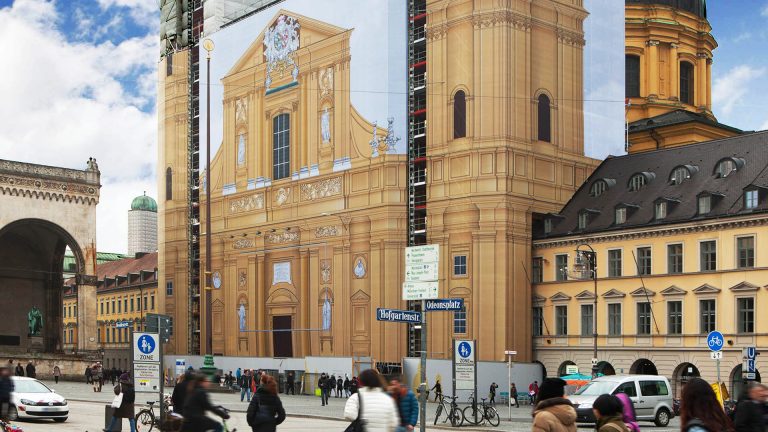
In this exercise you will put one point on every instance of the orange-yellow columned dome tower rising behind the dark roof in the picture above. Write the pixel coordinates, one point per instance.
(668, 70)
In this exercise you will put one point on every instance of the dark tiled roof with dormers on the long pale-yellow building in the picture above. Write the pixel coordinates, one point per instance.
(750, 153)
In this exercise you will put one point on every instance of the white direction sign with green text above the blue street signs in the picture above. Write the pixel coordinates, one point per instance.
(421, 272)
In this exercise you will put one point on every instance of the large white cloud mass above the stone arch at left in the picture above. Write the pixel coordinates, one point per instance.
(66, 101)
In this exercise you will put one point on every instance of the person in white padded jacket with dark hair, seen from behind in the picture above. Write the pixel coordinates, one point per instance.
(372, 405)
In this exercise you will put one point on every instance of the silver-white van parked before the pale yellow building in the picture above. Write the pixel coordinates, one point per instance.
(650, 394)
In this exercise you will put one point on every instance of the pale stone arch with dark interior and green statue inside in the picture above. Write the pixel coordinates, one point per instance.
(43, 211)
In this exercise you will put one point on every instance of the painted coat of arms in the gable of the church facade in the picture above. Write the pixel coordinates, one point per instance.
(281, 40)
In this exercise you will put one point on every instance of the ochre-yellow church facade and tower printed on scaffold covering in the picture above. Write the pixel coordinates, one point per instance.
(310, 212)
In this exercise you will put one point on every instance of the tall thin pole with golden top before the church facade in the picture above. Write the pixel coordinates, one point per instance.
(208, 45)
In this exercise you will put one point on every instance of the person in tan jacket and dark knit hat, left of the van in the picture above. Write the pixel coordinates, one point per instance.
(553, 413)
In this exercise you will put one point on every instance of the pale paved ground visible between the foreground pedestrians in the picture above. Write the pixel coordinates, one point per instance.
(303, 412)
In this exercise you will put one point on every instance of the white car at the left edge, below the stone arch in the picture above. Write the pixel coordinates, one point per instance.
(33, 399)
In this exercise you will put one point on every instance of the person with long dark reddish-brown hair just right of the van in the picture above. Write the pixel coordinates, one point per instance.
(700, 411)
